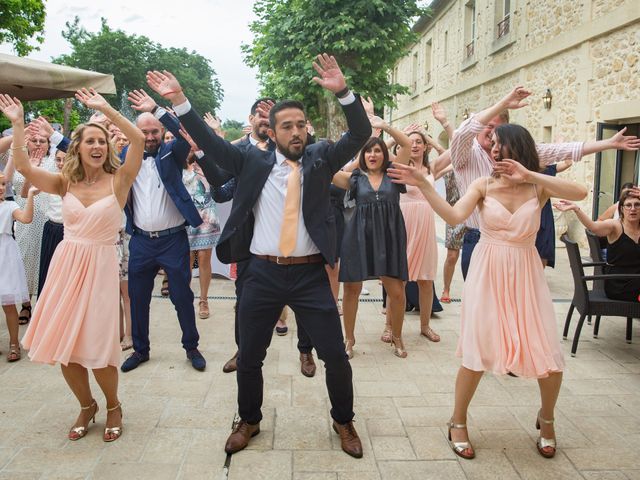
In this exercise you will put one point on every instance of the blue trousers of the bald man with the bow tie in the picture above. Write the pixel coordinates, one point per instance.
(146, 257)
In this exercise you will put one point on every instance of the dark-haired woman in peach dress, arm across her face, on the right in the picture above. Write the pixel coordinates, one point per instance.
(508, 324)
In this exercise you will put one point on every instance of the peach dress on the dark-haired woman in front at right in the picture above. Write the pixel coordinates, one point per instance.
(508, 323)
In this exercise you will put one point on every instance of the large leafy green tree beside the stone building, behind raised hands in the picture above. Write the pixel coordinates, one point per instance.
(367, 37)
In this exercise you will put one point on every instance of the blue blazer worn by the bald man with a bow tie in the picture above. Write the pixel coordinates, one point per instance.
(170, 161)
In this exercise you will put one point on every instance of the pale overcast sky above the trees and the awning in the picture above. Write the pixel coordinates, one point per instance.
(213, 28)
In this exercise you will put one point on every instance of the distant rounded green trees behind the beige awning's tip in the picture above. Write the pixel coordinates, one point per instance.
(128, 58)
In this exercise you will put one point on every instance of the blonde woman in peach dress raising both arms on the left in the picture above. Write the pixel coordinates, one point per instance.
(75, 322)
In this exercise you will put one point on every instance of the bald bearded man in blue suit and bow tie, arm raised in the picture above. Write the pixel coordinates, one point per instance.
(158, 210)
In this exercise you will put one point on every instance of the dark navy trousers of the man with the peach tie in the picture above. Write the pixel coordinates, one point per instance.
(267, 288)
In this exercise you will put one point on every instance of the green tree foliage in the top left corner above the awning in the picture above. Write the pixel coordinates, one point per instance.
(20, 22)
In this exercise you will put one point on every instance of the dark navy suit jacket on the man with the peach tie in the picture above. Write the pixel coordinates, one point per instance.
(252, 166)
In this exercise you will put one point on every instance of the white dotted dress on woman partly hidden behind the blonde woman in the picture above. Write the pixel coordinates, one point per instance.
(29, 236)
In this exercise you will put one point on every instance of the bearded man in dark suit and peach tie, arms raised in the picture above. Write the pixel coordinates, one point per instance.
(286, 255)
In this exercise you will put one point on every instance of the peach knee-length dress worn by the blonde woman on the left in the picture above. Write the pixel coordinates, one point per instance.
(76, 318)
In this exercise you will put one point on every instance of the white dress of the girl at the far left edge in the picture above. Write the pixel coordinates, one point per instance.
(13, 284)
